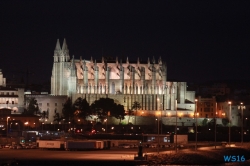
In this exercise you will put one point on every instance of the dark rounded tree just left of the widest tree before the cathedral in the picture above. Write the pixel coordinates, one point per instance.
(81, 108)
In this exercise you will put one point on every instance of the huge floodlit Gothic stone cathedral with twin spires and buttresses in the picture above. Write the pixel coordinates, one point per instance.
(121, 80)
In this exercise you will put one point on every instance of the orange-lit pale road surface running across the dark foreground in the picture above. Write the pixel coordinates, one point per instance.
(112, 154)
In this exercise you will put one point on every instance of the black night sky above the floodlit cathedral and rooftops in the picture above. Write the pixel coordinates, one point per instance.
(199, 40)
